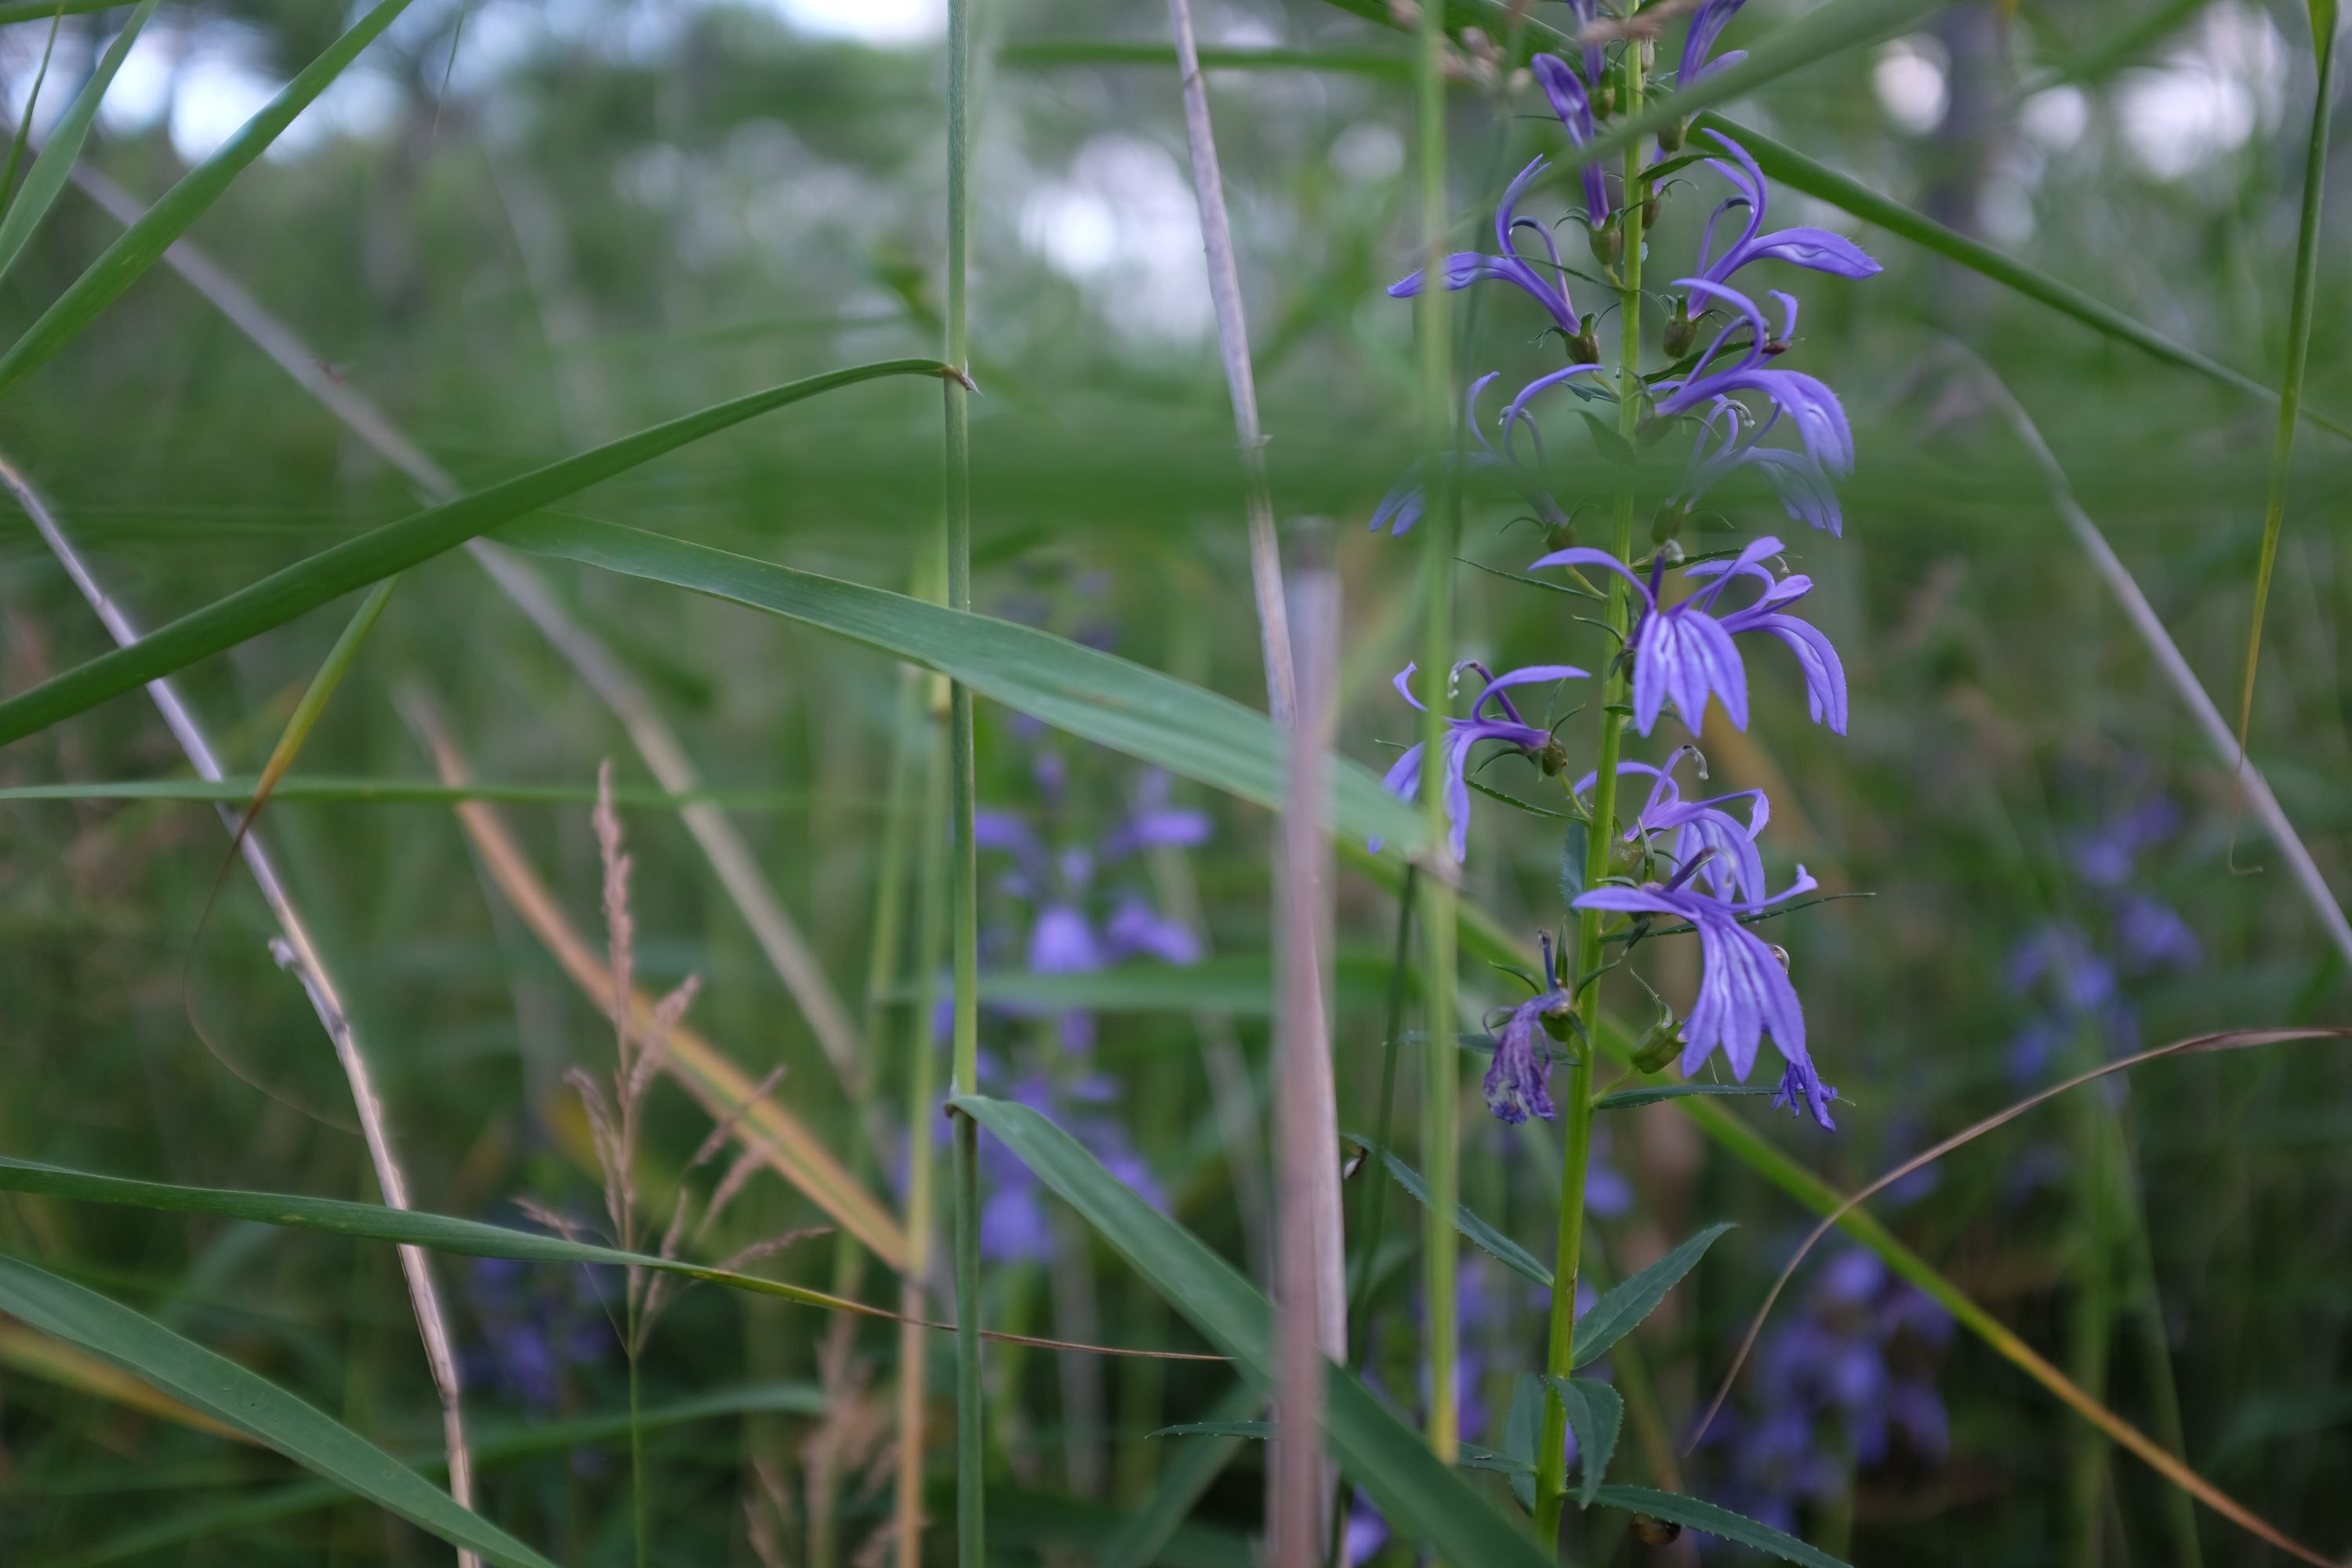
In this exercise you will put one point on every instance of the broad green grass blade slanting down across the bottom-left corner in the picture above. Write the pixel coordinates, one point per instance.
(225, 1391)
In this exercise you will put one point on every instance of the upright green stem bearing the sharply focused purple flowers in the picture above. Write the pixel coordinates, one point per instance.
(1601, 840)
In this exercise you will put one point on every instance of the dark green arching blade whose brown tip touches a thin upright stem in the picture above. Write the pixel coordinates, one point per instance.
(394, 549)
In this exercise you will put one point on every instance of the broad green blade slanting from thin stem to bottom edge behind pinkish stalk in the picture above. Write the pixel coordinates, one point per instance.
(1419, 1494)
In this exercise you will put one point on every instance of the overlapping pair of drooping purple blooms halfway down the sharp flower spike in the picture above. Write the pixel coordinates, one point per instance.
(1685, 652)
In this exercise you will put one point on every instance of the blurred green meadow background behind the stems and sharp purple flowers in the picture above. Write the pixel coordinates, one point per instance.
(533, 229)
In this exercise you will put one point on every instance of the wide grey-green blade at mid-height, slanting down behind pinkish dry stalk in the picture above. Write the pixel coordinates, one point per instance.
(1097, 697)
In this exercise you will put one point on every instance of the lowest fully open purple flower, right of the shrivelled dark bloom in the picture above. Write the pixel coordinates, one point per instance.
(1744, 993)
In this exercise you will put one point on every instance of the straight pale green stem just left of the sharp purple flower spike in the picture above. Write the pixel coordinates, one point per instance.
(1441, 1085)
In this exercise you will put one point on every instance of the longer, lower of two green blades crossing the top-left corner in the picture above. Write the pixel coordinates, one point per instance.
(185, 203)
